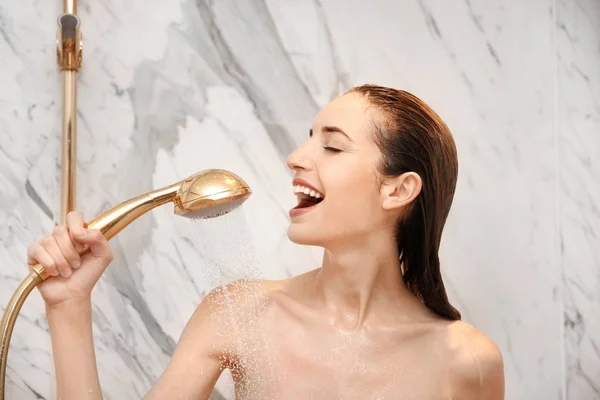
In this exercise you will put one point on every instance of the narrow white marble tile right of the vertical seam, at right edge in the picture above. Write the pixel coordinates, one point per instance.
(579, 154)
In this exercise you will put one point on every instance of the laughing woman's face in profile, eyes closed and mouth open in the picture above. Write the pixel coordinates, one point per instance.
(340, 161)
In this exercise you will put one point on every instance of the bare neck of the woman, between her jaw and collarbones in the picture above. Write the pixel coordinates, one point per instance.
(361, 279)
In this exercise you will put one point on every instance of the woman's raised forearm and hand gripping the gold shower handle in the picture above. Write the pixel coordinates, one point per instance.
(67, 295)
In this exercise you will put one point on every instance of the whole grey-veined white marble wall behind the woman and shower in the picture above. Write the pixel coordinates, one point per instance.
(170, 88)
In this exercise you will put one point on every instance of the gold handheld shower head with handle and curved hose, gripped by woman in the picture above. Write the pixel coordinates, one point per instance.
(207, 194)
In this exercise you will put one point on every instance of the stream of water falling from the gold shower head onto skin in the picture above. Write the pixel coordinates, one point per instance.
(230, 268)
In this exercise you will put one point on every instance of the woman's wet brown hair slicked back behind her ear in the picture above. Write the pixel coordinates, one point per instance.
(412, 137)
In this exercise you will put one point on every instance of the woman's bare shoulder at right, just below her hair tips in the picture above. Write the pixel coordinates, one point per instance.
(477, 365)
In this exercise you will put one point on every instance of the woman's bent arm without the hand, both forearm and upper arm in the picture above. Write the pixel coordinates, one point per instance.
(191, 373)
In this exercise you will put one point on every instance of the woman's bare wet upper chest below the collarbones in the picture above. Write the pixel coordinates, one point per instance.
(299, 361)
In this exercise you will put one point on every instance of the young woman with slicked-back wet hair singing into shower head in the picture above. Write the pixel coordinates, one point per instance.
(374, 182)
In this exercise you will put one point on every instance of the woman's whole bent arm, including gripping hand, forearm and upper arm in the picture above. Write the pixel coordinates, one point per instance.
(195, 366)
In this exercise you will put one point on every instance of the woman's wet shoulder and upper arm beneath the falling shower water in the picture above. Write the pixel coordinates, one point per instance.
(210, 342)
